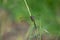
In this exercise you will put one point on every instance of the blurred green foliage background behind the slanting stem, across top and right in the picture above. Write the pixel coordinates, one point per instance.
(46, 13)
